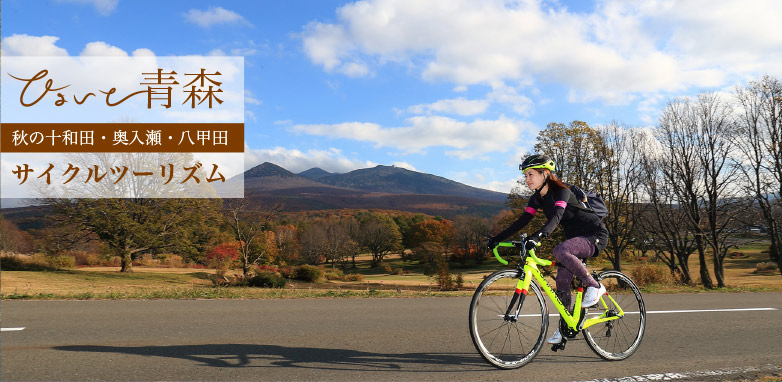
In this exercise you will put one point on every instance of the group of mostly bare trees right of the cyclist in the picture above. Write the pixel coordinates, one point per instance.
(709, 168)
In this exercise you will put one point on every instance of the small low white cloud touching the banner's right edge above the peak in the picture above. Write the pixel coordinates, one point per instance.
(331, 160)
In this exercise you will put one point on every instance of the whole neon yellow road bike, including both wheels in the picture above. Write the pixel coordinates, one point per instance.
(509, 317)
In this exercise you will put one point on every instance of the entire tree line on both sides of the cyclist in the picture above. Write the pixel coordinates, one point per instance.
(711, 166)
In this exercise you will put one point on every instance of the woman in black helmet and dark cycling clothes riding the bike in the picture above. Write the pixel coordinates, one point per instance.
(585, 234)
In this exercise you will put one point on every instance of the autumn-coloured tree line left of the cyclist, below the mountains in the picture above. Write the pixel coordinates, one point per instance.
(206, 230)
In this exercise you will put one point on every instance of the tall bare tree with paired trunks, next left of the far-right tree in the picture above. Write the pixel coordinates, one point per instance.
(699, 136)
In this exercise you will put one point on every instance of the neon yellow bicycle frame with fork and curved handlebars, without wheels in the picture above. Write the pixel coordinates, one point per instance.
(530, 270)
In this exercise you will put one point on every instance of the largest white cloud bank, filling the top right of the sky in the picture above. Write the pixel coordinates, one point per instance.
(620, 49)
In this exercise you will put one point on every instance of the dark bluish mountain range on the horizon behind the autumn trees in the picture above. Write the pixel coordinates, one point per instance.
(380, 187)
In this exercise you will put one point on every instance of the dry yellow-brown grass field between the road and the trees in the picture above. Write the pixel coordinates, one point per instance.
(150, 282)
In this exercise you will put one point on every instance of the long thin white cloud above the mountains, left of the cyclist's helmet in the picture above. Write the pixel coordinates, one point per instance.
(468, 139)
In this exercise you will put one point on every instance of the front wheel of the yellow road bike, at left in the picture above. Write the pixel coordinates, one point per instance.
(507, 341)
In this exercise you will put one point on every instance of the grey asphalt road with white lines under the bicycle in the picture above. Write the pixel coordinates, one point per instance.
(407, 339)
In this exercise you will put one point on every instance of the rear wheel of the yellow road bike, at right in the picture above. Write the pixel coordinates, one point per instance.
(617, 339)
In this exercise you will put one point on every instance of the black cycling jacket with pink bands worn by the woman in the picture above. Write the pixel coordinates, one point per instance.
(561, 207)
